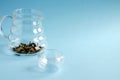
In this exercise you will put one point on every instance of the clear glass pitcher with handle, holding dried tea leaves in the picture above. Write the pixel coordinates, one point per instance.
(26, 33)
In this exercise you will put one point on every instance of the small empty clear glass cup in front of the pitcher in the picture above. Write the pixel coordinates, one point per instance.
(50, 60)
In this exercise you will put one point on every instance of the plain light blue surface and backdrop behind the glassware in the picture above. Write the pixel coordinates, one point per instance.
(86, 31)
